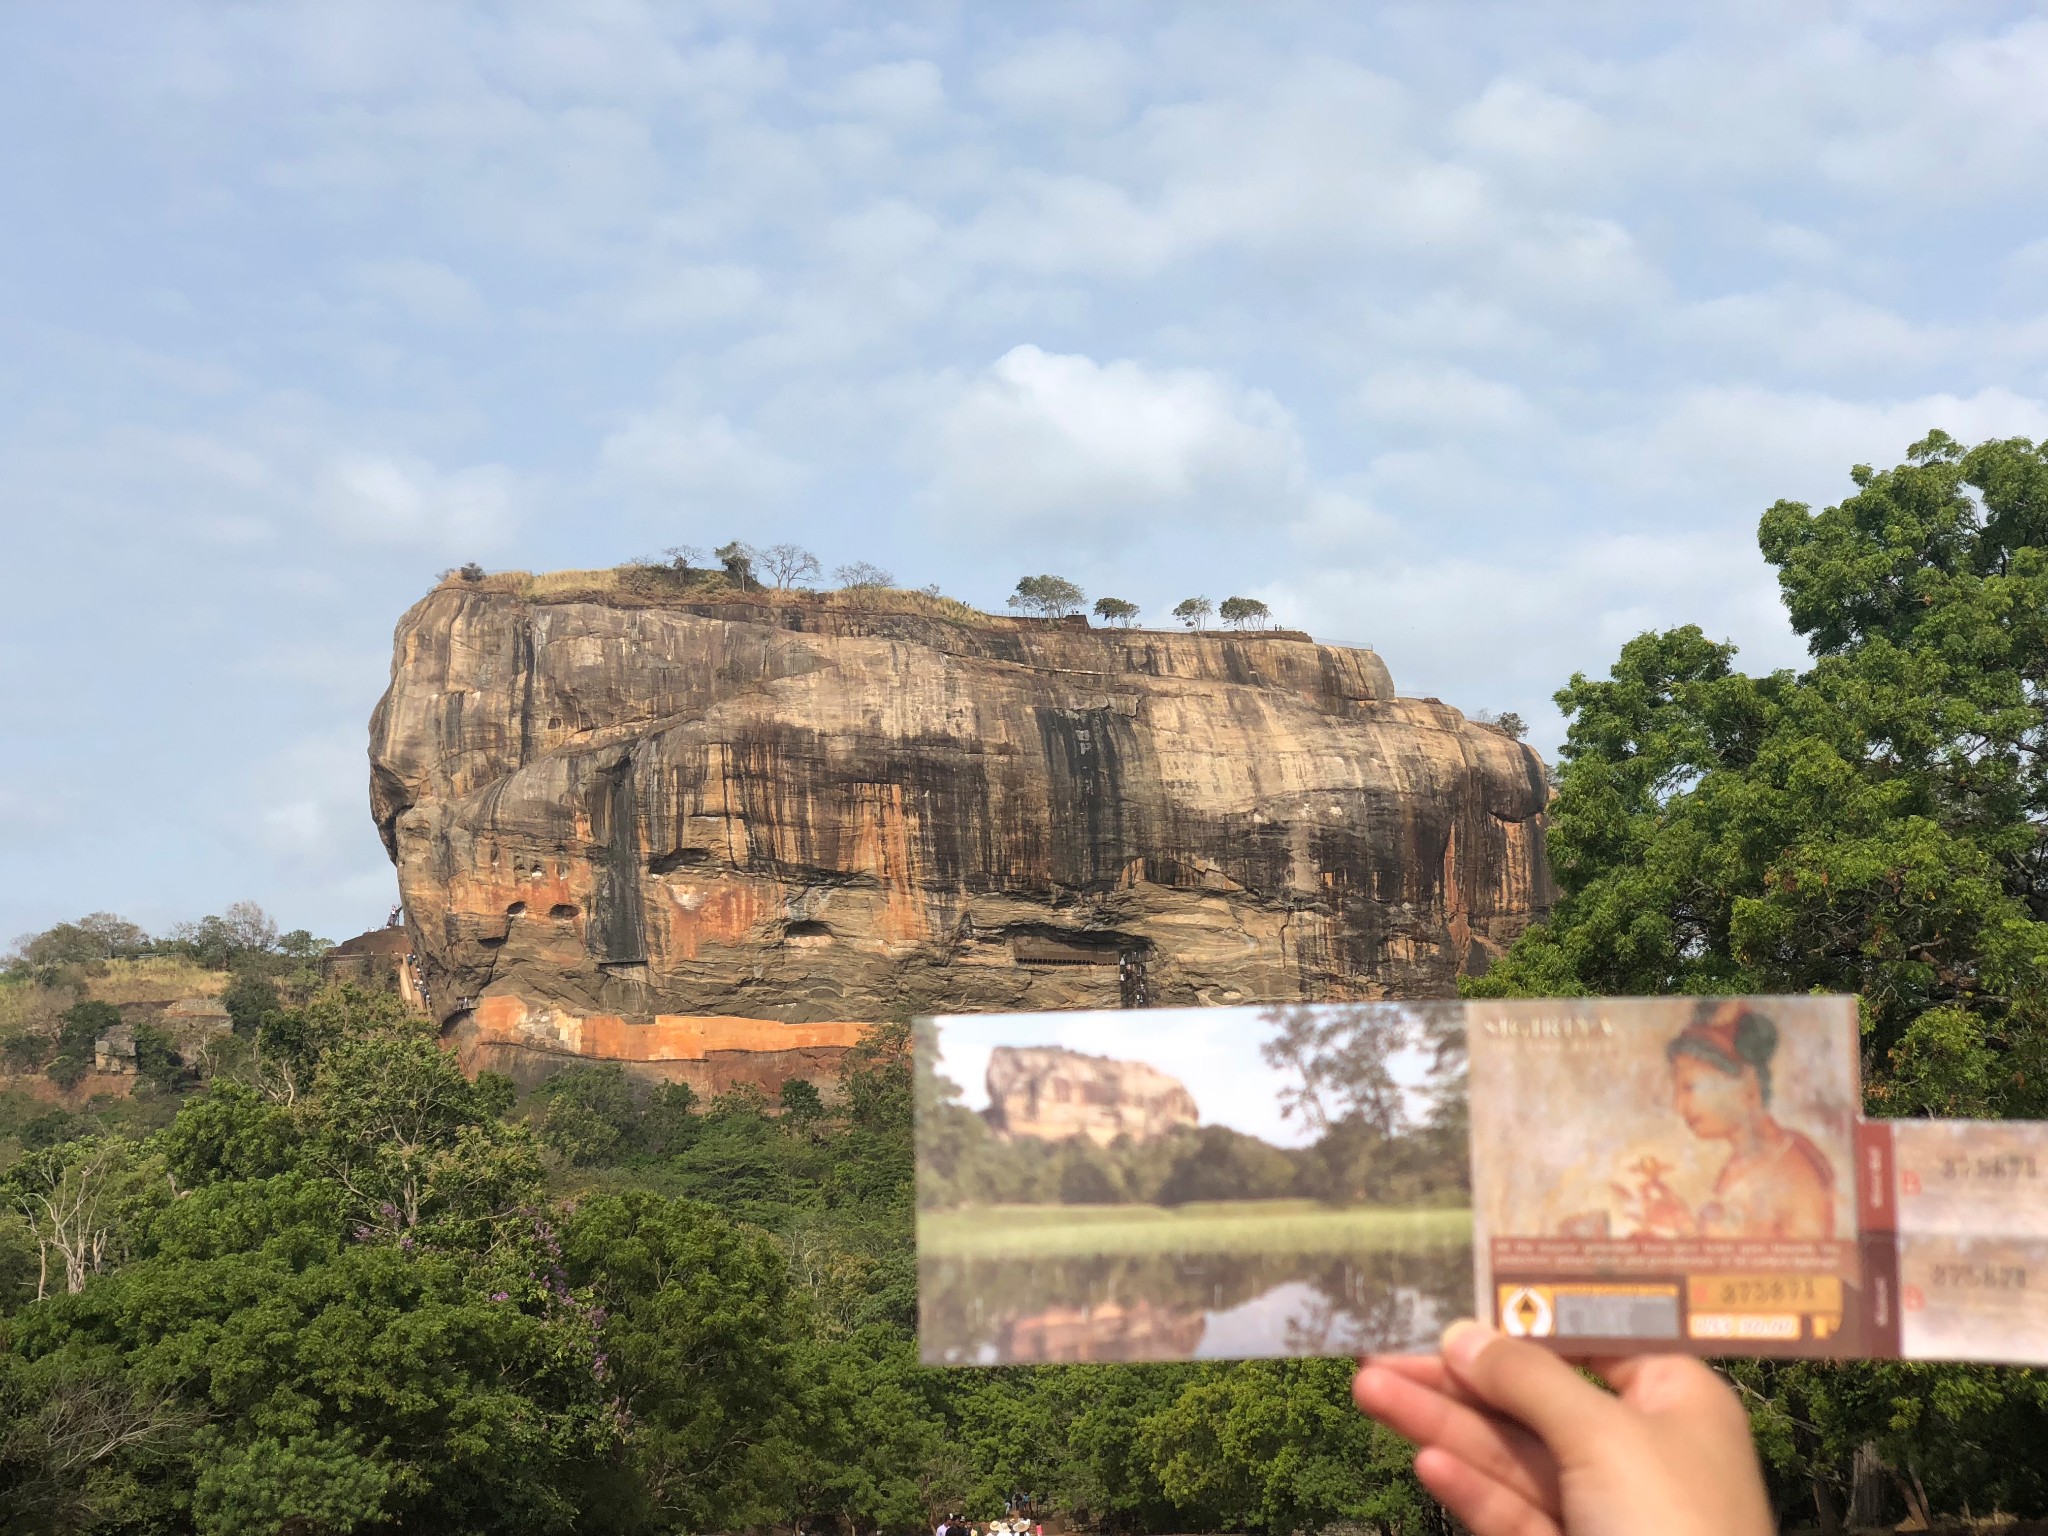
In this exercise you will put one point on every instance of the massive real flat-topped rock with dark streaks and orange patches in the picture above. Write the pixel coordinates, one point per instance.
(617, 818)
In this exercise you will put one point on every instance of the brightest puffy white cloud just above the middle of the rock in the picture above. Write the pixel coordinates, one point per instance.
(1062, 441)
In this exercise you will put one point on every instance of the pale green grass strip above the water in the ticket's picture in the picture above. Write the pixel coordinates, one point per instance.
(1205, 1228)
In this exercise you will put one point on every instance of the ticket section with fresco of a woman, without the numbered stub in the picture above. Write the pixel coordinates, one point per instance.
(1670, 1170)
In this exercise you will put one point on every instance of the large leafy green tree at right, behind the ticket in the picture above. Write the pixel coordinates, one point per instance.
(1875, 824)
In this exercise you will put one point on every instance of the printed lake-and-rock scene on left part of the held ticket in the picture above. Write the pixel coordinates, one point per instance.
(1199, 1183)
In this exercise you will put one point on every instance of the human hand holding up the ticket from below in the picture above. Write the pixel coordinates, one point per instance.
(1517, 1443)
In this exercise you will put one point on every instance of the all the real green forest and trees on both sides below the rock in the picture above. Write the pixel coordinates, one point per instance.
(323, 1283)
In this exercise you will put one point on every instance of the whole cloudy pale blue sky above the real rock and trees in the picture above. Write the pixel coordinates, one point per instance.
(1474, 333)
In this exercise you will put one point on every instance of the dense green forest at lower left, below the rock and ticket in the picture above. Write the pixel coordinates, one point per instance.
(343, 1295)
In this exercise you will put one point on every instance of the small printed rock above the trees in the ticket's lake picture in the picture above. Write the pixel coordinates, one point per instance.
(1054, 1095)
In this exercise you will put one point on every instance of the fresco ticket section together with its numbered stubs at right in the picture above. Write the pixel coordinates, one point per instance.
(1693, 1175)
